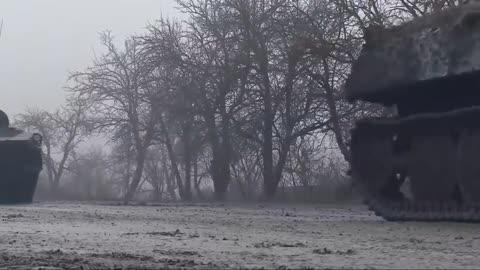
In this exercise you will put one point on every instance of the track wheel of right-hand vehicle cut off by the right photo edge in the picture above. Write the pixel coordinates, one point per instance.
(469, 166)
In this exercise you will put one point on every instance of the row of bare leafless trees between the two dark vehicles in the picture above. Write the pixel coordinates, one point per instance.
(244, 92)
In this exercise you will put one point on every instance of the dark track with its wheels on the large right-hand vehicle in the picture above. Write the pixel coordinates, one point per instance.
(439, 151)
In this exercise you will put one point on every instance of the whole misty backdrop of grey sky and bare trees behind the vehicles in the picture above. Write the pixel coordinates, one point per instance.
(215, 100)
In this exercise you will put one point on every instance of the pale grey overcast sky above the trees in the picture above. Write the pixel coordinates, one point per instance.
(42, 40)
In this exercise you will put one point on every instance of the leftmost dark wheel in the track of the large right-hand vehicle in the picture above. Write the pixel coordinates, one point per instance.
(371, 160)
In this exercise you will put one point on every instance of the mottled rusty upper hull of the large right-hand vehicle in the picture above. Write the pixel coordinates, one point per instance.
(439, 45)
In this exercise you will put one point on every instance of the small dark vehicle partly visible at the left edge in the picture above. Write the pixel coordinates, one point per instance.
(20, 163)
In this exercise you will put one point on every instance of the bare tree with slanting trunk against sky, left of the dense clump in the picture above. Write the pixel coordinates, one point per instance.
(119, 91)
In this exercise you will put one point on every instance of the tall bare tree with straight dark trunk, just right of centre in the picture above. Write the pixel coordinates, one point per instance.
(291, 106)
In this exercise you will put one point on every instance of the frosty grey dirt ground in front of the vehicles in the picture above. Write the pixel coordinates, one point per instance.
(215, 236)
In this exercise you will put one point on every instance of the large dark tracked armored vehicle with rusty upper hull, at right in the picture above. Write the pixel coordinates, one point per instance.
(423, 163)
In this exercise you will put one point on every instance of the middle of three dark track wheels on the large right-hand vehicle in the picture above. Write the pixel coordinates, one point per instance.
(431, 167)
